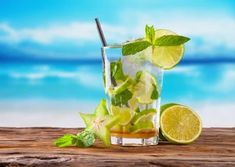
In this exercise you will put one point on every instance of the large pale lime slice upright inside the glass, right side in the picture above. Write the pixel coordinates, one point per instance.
(145, 88)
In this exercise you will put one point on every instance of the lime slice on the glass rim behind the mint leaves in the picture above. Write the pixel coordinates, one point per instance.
(166, 57)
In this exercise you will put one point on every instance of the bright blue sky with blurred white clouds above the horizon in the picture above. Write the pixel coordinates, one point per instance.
(66, 29)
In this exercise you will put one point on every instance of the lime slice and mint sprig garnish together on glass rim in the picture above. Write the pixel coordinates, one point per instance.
(162, 47)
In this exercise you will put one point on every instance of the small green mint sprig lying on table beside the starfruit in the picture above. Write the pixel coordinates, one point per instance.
(83, 139)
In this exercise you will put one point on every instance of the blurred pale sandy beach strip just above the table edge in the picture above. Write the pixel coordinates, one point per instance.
(29, 113)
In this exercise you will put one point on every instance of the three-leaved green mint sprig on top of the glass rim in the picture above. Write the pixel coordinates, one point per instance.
(150, 39)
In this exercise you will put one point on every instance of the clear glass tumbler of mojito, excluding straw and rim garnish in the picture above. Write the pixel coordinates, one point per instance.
(133, 87)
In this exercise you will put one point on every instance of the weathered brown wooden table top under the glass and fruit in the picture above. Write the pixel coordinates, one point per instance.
(33, 147)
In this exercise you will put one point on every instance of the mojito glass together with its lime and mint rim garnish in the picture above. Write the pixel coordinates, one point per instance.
(133, 75)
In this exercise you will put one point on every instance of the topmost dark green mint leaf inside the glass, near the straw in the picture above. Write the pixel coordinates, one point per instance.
(116, 70)
